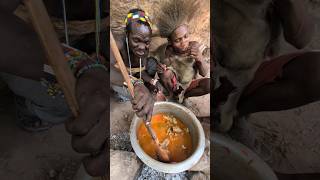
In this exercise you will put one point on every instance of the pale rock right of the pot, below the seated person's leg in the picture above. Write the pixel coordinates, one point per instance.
(200, 105)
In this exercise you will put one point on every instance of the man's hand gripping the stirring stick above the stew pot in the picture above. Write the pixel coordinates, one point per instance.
(143, 102)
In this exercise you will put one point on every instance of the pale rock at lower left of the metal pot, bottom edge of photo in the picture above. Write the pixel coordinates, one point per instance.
(123, 165)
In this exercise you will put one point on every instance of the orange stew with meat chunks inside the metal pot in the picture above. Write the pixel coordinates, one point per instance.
(173, 135)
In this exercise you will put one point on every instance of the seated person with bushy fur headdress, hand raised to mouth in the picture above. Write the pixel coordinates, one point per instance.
(180, 59)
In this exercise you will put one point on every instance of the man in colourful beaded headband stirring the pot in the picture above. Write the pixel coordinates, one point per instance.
(134, 49)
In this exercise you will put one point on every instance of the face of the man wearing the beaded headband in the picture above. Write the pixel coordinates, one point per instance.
(139, 39)
